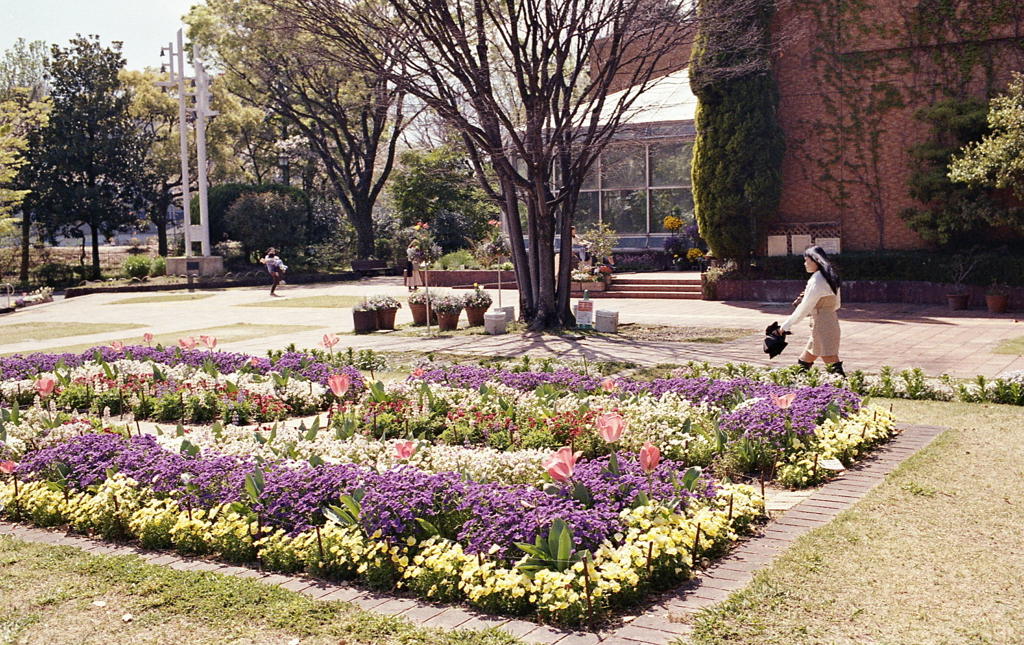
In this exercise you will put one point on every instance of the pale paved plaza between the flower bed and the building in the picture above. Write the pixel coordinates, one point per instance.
(959, 343)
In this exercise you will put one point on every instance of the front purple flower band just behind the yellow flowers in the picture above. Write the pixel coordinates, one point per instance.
(479, 515)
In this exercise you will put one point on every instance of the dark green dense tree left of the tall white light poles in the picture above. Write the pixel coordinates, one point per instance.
(92, 159)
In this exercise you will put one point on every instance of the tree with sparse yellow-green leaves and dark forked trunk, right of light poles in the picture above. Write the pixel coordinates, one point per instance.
(352, 117)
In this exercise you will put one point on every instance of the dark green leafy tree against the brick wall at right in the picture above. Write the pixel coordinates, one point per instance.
(952, 214)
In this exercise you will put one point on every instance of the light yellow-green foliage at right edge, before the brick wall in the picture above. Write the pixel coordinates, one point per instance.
(998, 161)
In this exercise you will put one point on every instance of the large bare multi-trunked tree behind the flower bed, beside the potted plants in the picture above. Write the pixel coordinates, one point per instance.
(527, 85)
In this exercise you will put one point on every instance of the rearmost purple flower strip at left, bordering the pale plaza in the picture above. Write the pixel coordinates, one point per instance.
(30, 367)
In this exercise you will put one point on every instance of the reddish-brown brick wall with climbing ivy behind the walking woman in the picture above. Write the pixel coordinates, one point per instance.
(851, 74)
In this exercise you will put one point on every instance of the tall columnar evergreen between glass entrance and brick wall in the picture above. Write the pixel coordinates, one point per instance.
(738, 153)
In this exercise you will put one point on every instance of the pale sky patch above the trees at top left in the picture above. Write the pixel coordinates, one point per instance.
(144, 26)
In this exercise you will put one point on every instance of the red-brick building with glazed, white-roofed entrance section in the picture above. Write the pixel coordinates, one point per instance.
(850, 79)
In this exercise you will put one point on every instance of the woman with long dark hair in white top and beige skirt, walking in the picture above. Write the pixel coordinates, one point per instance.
(821, 300)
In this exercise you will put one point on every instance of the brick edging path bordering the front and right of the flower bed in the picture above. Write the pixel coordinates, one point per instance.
(660, 625)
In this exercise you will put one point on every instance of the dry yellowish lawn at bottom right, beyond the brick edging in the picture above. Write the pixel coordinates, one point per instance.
(934, 555)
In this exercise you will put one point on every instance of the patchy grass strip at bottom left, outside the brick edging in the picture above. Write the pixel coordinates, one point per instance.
(54, 595)
